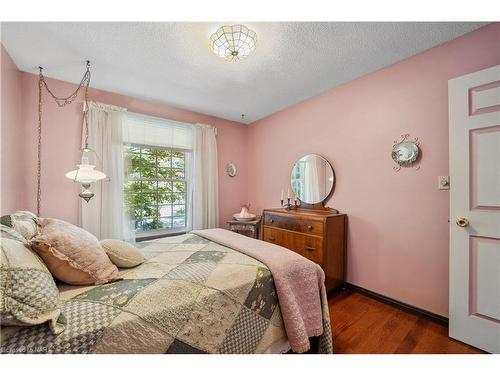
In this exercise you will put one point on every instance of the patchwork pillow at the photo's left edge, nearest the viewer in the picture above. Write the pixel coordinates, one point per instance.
(28, 294)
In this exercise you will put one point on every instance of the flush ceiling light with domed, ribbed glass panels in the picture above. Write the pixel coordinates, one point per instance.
(233, 43)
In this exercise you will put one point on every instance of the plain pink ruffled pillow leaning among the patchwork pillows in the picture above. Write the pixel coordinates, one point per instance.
(72, 254)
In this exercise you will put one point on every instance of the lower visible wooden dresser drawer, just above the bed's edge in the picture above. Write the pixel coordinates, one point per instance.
(310, 247)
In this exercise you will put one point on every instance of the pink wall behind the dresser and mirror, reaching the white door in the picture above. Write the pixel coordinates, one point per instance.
(398, 222)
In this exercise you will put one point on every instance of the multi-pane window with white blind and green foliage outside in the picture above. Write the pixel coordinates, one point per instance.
(157, 156)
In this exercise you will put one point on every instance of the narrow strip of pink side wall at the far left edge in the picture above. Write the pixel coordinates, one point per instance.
(11, 154)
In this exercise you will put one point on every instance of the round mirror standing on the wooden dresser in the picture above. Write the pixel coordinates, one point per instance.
(312, 179)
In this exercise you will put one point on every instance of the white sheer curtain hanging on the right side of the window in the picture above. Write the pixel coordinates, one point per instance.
(204, 176)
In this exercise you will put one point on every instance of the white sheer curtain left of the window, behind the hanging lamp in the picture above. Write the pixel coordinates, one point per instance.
(105, 214)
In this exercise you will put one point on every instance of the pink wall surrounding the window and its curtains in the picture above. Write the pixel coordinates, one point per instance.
(61, 141)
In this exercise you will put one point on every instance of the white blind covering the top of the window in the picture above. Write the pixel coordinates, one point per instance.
(154, 131)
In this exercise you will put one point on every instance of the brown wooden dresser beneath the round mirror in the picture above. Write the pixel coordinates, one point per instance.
(317, 234)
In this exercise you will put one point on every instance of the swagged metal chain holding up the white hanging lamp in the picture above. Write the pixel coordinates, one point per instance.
(61, 102)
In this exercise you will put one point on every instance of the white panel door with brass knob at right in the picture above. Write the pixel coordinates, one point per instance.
(474, 114)
